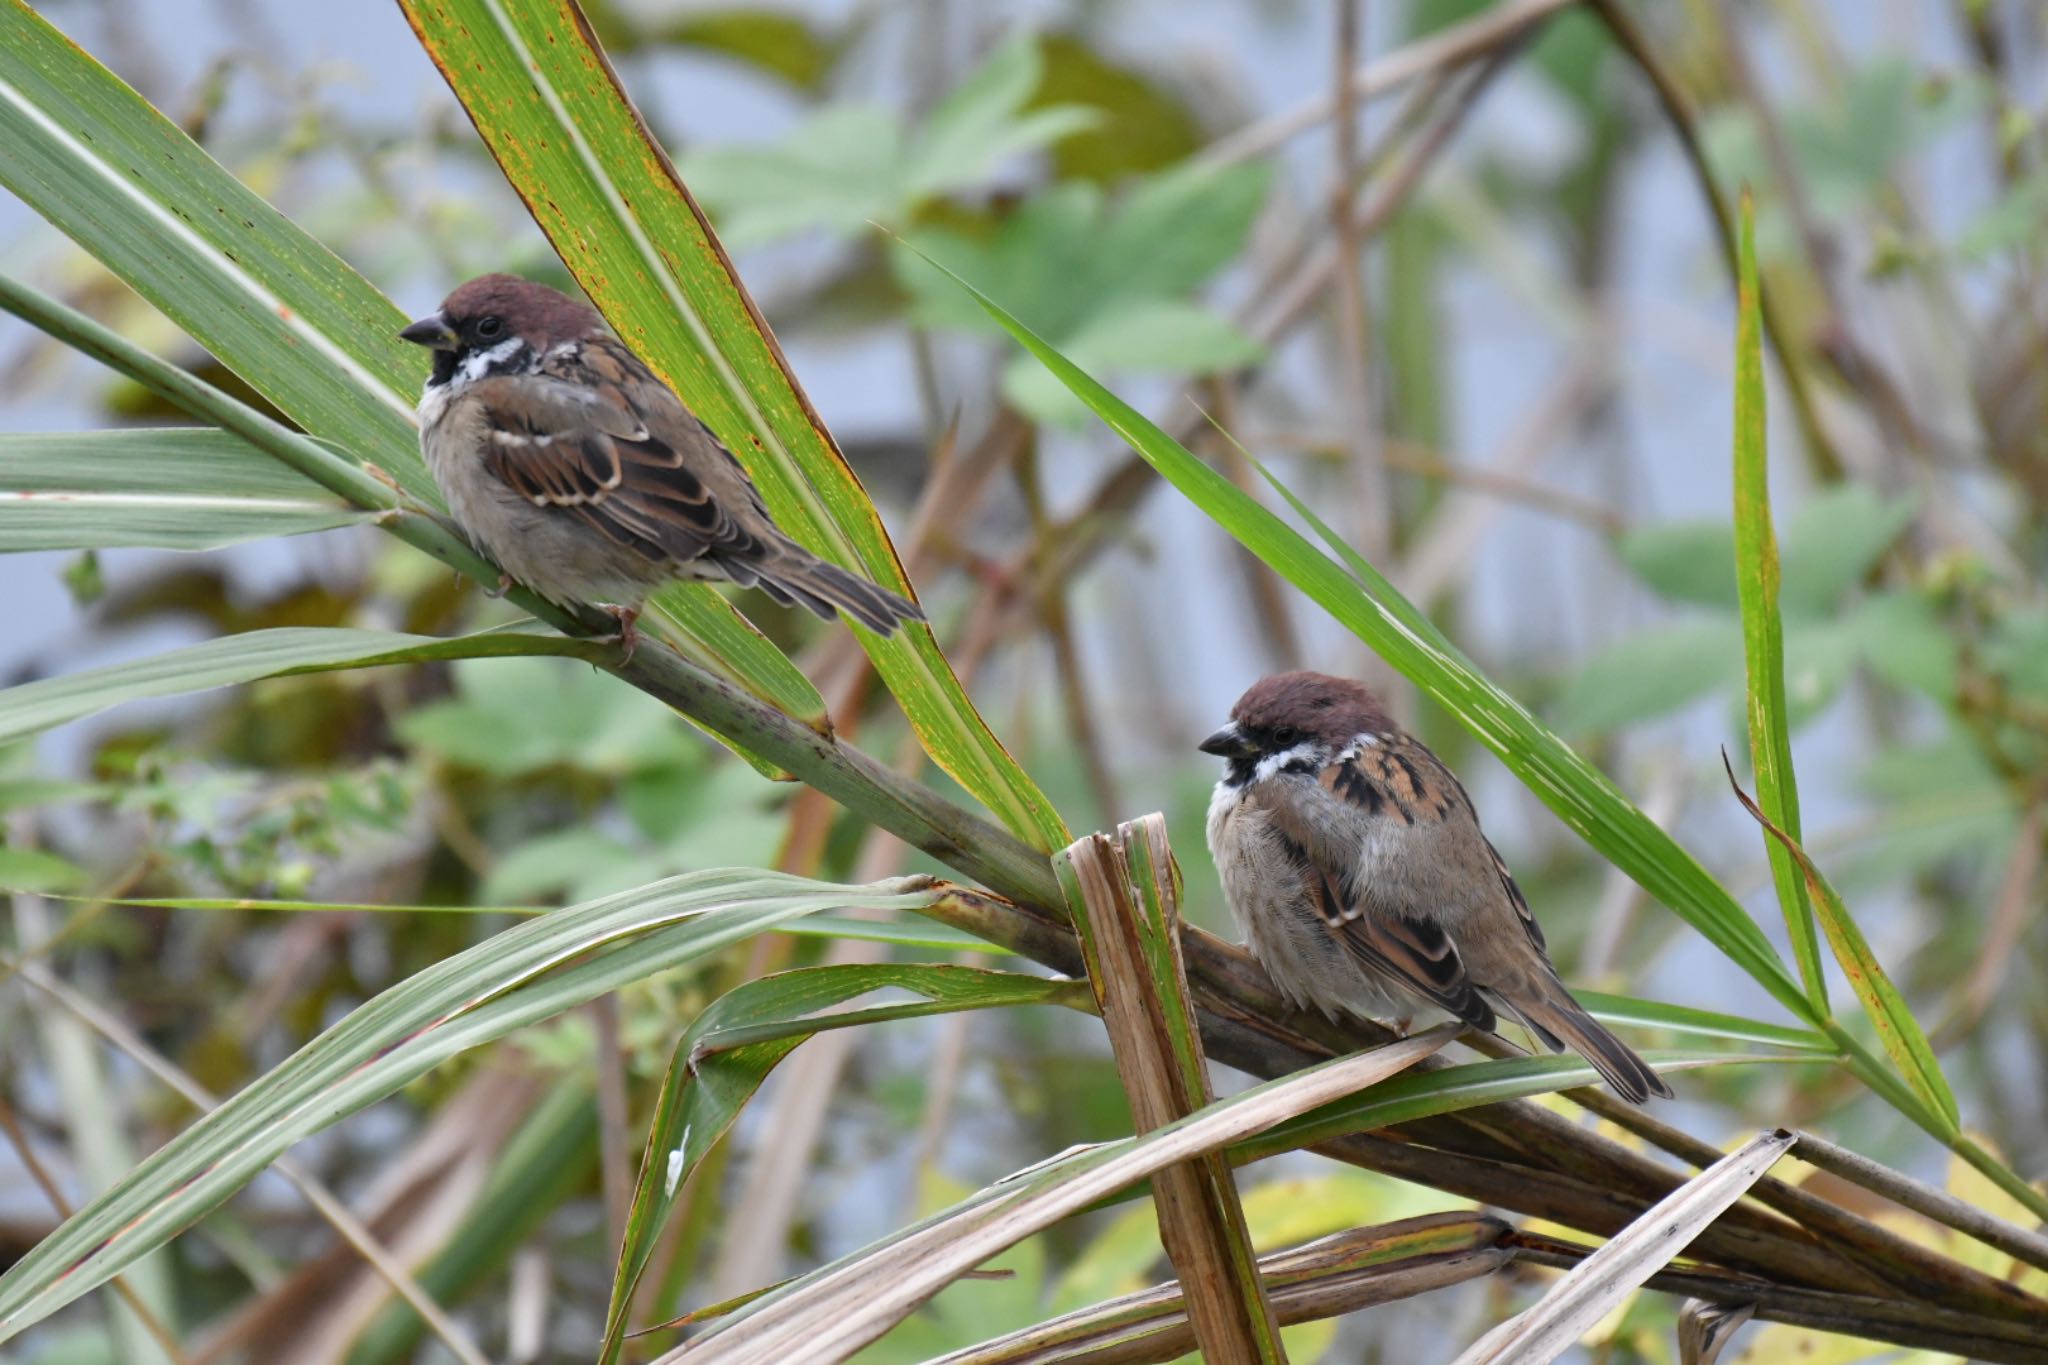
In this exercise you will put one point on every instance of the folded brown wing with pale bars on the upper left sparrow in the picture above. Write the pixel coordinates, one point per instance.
(597, 437)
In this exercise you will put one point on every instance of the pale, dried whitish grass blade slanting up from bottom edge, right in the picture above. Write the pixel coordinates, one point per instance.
(1619, 1270)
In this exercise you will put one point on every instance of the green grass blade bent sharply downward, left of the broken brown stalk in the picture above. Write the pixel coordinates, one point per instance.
(730, 1049)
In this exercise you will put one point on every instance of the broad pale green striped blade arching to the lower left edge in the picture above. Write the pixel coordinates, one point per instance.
(464, 1002)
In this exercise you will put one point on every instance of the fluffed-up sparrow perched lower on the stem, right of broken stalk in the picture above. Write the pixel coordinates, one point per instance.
(1355, 867)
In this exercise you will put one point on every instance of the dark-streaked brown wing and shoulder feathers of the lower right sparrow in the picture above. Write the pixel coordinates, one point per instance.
(1410, 949)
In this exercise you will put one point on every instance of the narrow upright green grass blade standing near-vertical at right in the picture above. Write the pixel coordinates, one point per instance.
(1764, 644)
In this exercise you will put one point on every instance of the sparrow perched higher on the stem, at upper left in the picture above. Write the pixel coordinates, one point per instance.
(587, 478)
